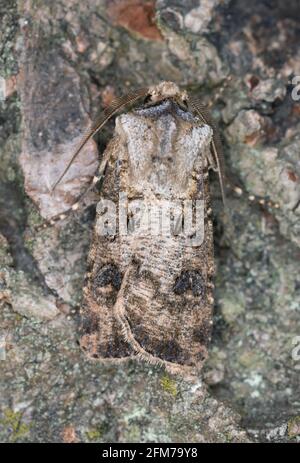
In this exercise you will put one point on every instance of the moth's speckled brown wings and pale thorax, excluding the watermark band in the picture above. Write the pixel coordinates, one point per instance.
(151, 296)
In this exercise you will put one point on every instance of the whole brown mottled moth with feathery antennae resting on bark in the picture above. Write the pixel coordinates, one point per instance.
(148, 292)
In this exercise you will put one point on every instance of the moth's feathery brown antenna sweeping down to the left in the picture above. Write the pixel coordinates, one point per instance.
(100, 121)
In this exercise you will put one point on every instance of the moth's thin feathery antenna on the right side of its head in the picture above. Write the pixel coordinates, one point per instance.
(205, 116)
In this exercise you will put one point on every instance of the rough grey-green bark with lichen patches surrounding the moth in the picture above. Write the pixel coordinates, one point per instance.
(61, 62)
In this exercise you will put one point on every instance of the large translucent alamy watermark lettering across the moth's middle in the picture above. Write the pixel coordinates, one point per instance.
(152, 217)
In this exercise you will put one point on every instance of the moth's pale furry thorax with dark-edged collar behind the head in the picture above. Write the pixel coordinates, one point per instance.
(164, 145)
